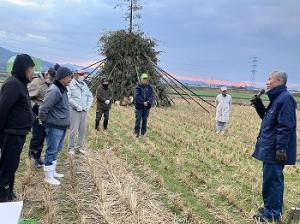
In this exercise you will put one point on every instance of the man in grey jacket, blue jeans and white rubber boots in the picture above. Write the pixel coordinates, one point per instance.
(55, 115)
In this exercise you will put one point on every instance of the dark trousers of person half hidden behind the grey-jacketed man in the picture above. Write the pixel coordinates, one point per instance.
(37, 140)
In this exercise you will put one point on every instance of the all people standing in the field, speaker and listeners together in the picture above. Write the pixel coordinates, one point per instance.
(50, 103)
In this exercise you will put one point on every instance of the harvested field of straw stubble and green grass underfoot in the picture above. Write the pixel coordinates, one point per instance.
(182, 172)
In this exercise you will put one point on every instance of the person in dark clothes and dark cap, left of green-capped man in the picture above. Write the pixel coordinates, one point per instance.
(104, 101)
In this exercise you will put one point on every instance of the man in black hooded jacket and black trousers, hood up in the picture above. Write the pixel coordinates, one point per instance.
(16, 119)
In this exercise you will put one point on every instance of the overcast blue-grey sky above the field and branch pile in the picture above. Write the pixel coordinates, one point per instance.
(213, 39)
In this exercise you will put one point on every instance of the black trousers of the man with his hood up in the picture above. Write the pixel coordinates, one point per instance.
(11, 147)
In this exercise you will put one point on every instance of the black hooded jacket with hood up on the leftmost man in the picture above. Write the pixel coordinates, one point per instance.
(16, 116)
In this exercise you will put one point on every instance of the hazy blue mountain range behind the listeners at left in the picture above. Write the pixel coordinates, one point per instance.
(6, 54)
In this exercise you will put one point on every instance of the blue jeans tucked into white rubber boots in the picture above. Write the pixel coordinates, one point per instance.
(55, 141)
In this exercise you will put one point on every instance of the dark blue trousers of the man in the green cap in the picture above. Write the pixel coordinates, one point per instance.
(141, 119)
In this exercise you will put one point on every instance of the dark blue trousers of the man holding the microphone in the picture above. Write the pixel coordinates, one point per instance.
(273, 188)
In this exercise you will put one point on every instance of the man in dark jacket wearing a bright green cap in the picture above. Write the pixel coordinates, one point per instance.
(144, 99)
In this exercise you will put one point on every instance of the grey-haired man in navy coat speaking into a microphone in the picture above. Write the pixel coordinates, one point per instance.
(276, 143)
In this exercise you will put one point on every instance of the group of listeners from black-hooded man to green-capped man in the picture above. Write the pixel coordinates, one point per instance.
(48, 104)
